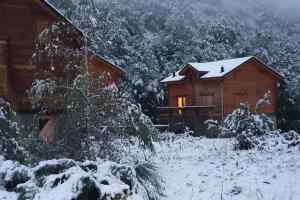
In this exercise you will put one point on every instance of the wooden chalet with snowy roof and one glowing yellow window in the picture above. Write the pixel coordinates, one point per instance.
(201, 91)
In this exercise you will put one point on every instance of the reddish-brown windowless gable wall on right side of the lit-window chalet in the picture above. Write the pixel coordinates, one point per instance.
(248, 83)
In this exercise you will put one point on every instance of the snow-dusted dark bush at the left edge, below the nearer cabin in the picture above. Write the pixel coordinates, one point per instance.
(10, 146)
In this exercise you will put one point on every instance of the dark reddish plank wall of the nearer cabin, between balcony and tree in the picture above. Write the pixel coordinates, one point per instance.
(21, 21)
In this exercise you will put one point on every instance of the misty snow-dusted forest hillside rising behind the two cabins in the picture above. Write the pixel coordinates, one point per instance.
(150, 39)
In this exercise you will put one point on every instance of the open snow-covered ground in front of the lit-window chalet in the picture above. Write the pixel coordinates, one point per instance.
(200, 168)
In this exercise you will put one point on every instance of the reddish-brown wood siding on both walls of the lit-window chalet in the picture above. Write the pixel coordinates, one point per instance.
(249, 82)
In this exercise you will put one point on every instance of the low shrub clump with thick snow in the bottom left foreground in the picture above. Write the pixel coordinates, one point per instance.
(66, 179)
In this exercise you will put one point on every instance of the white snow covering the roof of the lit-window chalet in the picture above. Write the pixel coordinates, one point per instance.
(212, 69)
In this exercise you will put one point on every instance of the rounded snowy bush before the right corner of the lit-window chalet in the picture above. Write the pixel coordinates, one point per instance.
(253, 130)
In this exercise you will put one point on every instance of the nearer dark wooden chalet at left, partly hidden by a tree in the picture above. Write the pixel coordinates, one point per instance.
(21, 21)
